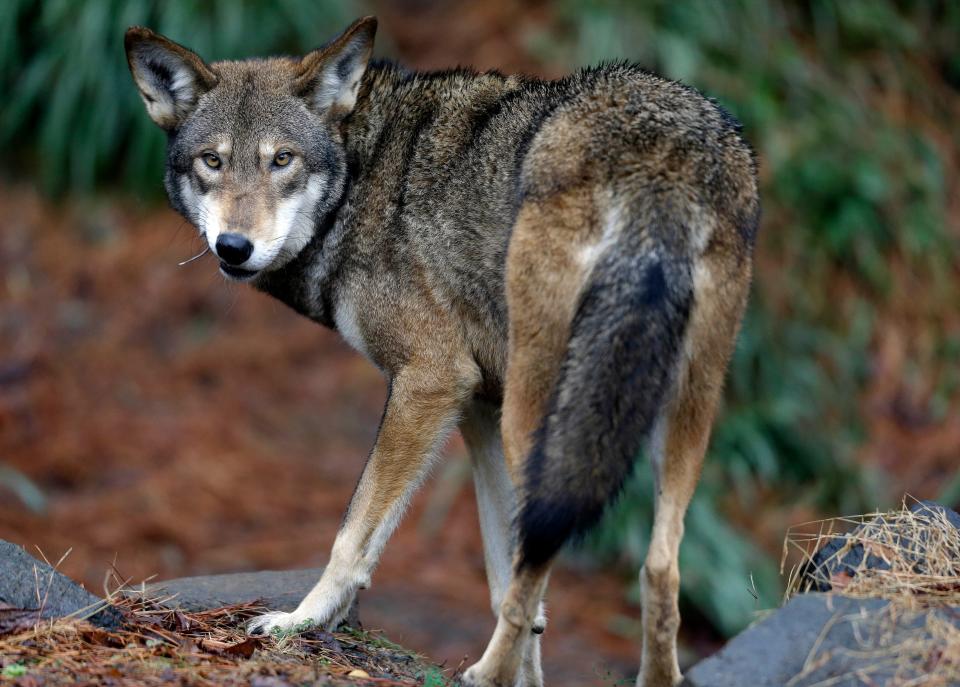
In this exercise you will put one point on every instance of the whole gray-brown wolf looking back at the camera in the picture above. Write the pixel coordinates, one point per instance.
(558, 268)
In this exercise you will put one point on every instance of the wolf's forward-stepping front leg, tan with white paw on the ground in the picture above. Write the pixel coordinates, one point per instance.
(423, 406)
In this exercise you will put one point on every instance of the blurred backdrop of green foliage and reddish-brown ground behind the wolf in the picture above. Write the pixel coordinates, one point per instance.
(159, 419)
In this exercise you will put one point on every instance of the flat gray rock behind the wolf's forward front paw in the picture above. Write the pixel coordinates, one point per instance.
(278, 590)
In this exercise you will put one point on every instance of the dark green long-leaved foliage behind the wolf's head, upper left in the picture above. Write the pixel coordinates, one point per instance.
(72, 117)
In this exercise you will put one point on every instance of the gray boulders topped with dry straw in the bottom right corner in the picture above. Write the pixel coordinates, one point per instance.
(824, 638)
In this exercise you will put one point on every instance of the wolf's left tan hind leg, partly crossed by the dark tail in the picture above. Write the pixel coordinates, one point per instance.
(544, 278)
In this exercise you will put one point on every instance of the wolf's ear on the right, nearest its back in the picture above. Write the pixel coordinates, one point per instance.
(329, 78)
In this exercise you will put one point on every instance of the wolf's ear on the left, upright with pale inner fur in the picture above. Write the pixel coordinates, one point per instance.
(171, 78)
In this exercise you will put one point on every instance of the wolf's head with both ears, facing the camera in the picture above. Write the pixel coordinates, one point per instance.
(255, 157)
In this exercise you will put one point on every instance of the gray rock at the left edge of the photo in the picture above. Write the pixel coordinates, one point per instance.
(59, 596)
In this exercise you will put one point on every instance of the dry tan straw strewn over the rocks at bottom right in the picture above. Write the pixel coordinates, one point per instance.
(914, 640)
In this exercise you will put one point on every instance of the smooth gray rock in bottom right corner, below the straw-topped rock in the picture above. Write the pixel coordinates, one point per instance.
(775, 650)
